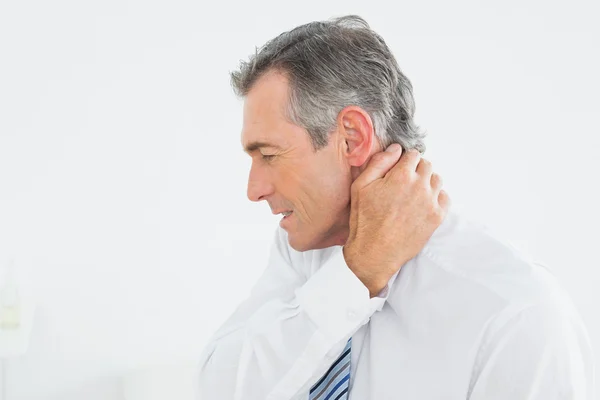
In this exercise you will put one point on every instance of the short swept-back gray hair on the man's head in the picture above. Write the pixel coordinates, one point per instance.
(331, 65)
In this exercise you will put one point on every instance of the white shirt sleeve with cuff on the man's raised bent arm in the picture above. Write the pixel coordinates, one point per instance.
(288, 332)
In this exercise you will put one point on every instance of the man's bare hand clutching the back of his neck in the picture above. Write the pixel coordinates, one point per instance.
(396, 205)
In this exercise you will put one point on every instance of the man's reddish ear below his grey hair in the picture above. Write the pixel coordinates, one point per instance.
(357, 133)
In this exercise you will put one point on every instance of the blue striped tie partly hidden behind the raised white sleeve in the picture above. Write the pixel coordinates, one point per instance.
(334, 384)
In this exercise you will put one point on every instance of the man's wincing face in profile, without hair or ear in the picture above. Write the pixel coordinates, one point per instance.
(290, 175)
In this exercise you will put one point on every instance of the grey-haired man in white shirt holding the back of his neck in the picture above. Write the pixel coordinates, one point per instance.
(374, 288)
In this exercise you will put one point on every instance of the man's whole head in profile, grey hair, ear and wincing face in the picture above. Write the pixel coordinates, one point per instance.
(331, 95)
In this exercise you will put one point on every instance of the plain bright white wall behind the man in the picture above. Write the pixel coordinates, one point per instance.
(122, 180)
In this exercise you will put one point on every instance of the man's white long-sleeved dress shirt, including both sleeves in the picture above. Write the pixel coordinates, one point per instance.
(468, 318)
